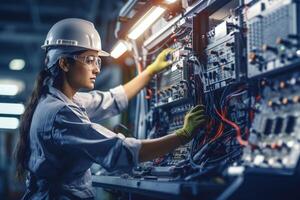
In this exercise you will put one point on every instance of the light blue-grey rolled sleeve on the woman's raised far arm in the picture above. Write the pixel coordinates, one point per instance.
(101, 105)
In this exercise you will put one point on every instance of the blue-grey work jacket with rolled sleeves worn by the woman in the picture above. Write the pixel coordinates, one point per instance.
(66, 139)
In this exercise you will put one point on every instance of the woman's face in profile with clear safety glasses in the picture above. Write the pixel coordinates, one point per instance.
(83, 72)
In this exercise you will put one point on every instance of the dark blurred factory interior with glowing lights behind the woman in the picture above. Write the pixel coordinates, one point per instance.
(23, 28)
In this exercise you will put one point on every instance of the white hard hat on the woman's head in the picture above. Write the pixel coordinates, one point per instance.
(74, 32)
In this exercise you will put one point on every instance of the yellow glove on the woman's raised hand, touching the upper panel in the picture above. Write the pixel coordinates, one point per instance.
(160, 62)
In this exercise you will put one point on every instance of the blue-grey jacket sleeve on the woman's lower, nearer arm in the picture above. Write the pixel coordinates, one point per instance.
(74, 133)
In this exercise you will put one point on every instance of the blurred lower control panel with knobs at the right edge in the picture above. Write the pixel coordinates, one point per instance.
(274, 131)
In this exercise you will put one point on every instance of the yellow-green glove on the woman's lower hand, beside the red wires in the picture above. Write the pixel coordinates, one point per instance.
(192, 121)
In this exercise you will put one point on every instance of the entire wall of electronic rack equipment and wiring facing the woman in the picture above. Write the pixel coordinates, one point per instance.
(240, 59)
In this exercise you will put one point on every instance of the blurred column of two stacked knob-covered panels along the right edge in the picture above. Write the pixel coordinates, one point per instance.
(273, 43)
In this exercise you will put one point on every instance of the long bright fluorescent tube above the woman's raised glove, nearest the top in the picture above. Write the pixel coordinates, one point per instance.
(145, 22)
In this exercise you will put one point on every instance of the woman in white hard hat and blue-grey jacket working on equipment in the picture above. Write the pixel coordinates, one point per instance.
(59, 134)
